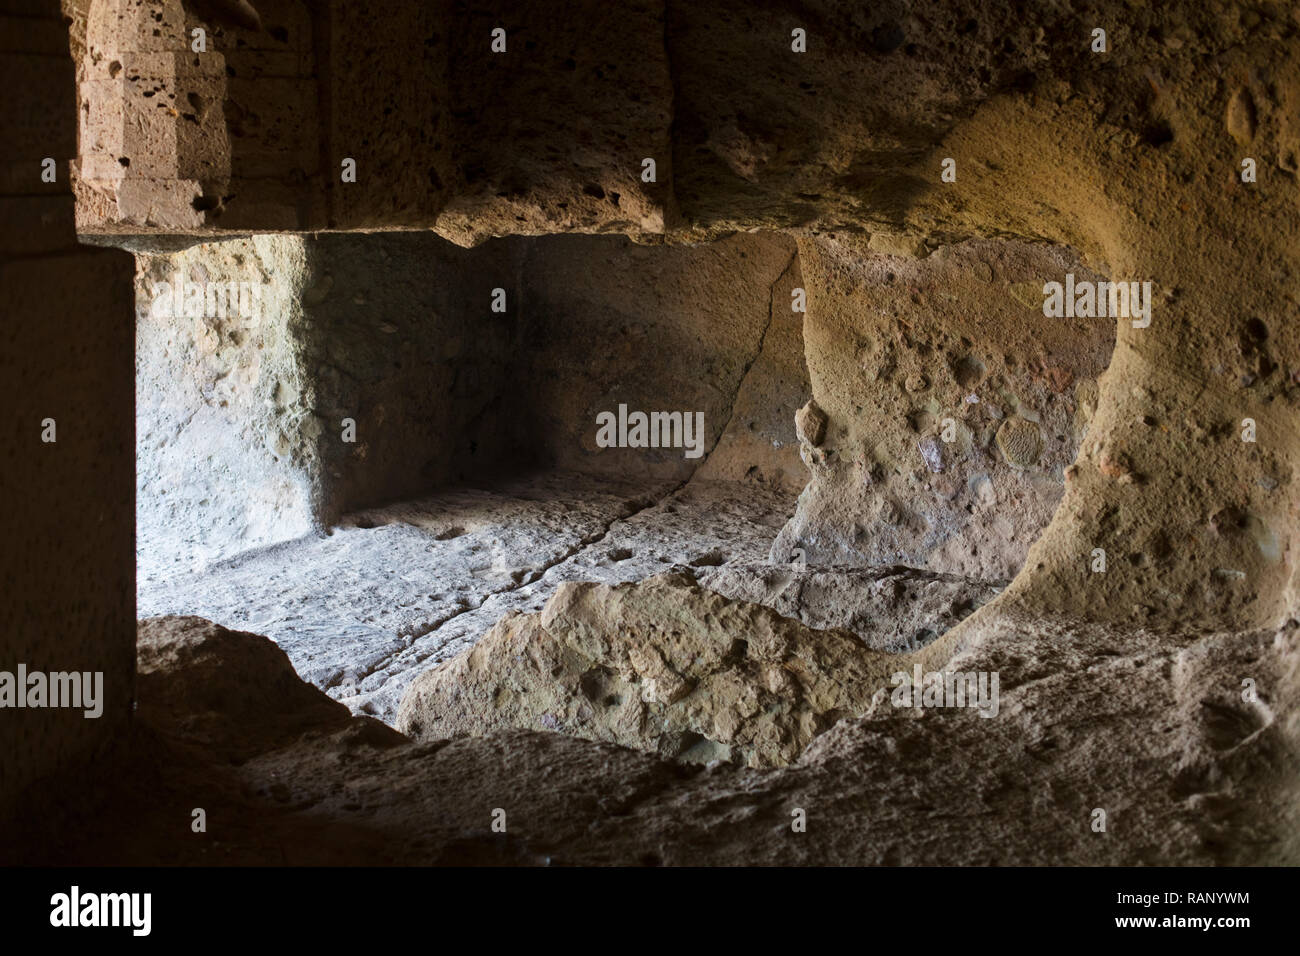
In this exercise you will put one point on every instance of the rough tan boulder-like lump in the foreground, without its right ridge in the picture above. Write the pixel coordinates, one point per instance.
(662, 667)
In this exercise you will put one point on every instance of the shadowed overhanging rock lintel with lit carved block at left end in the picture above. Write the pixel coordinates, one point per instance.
(252, 132)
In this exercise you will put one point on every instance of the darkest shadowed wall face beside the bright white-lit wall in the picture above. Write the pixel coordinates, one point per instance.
(398, 335)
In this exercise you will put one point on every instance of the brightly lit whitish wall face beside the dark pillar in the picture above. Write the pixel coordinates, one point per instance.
(227, 453)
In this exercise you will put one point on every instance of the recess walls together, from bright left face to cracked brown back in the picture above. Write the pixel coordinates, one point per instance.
(284, 382)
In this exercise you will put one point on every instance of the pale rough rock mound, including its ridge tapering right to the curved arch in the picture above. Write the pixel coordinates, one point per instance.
(691, 665)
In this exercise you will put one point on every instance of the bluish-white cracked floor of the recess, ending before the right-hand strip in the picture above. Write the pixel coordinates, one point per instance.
(393, 591)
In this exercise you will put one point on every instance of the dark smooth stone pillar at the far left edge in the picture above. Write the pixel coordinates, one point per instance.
(68, 566)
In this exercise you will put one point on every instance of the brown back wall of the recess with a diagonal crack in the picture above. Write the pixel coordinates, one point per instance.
(660, 330)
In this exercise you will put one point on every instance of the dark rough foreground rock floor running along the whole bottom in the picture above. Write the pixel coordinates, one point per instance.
(1147, 726)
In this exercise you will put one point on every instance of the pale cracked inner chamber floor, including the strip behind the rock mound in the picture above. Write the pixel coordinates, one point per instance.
(367, 607)
